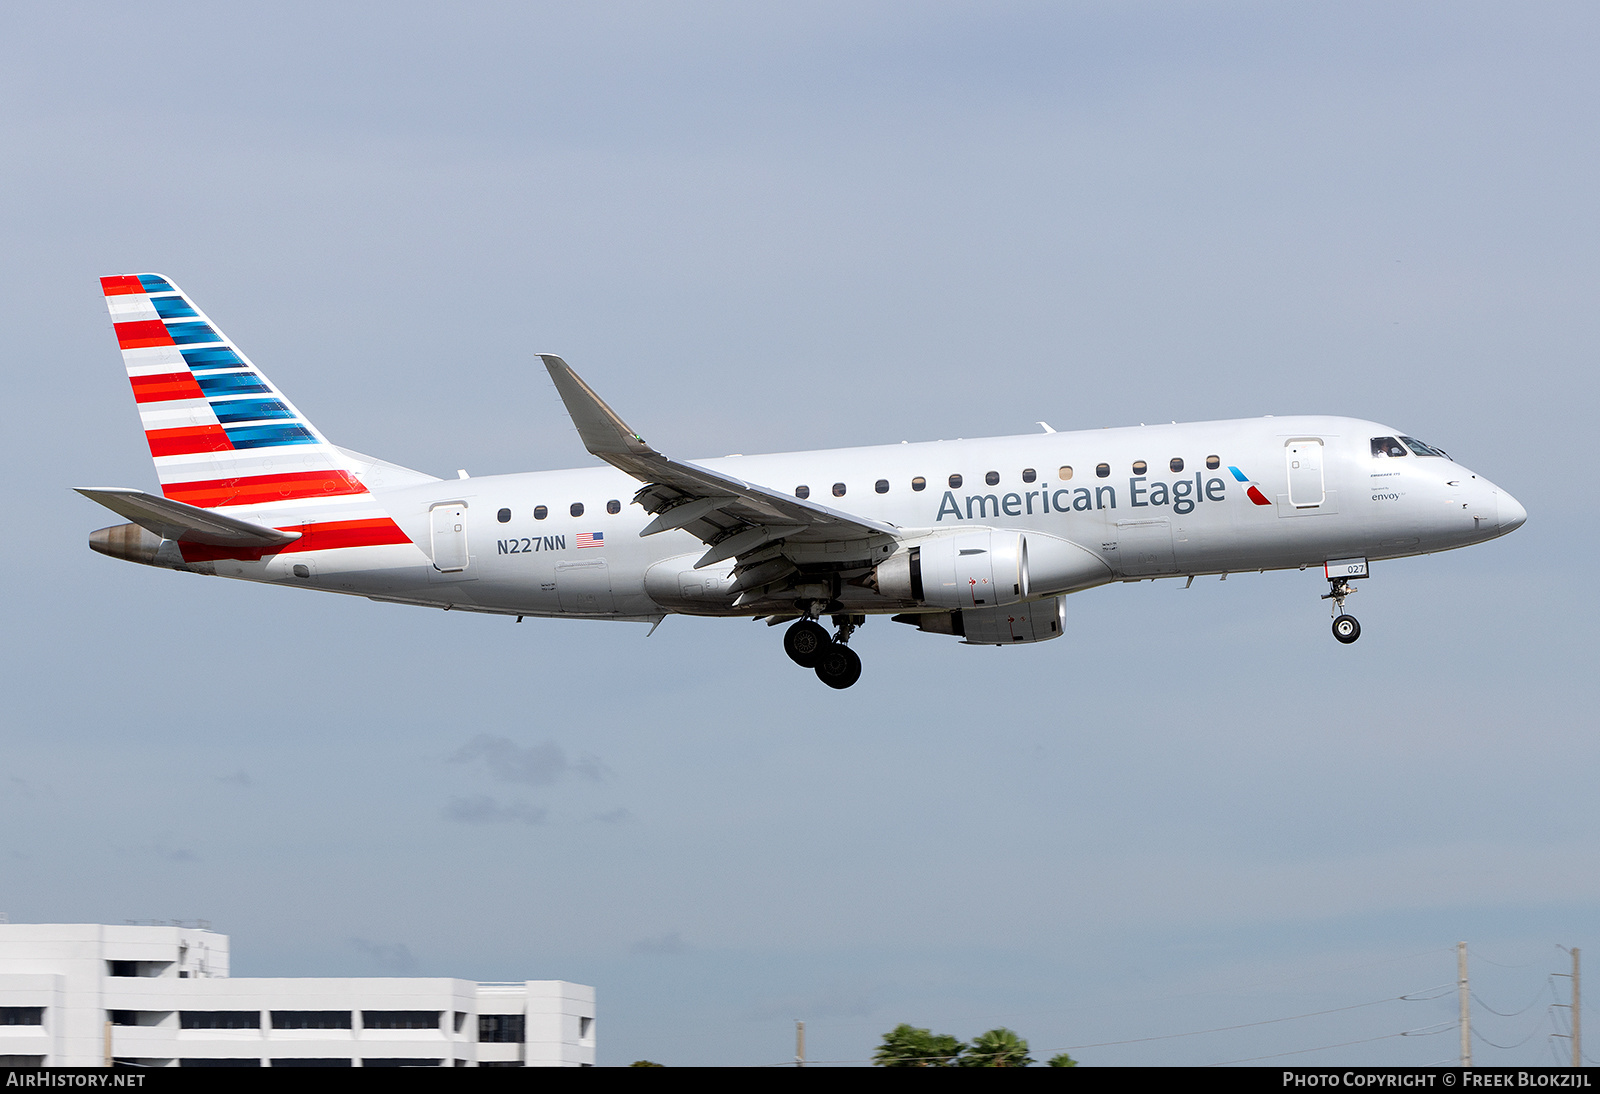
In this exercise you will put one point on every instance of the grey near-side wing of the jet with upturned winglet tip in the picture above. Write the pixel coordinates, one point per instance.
(774, 537)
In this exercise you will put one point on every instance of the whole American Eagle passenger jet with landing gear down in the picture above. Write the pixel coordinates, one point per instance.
(977, 540)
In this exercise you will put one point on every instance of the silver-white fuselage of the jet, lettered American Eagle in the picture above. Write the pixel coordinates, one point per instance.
(1148, 501)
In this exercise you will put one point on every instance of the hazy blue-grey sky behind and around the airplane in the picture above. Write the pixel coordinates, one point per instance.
(761, 228)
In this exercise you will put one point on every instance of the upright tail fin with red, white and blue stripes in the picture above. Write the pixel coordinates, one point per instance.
(220, 433)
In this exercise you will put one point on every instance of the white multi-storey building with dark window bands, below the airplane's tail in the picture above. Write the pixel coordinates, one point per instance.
(86, 994)
